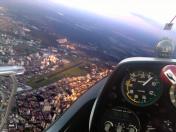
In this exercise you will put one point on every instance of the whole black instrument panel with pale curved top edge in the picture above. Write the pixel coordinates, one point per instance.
(137, 86)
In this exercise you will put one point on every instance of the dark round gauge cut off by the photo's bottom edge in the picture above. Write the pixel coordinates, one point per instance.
(120, 119)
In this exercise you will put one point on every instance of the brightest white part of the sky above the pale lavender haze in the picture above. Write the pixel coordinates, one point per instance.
(161, 11)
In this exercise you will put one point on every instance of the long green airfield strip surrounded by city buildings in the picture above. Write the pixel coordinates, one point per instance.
(55, 76)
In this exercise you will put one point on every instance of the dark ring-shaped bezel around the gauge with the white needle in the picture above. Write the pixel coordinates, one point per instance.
(140, 104)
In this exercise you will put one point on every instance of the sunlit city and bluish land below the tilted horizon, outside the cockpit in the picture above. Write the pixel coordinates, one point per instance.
(64, 54)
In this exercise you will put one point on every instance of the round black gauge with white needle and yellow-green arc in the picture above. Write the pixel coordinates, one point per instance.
(141, 88)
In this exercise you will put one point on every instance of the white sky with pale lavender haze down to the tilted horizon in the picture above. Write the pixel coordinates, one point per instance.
(152, 15)
